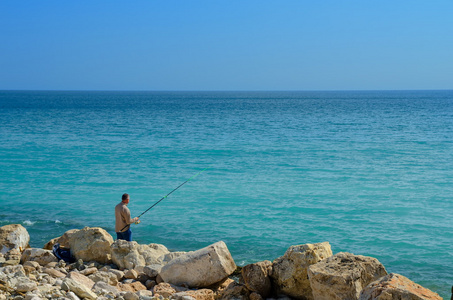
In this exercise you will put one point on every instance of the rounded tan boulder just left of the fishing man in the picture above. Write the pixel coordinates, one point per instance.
(91, 244)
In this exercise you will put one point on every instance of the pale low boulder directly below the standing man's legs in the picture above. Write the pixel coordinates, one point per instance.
(130, 255)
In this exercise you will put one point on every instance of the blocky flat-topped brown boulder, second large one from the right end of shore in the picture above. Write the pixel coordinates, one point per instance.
(343, 276)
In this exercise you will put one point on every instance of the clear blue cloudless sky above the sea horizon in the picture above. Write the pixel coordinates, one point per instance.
(226, 45)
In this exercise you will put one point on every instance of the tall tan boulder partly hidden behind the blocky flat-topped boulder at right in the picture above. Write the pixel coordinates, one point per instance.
(289, 272)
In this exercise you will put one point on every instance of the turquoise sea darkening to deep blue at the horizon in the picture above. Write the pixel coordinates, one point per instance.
(371, 172)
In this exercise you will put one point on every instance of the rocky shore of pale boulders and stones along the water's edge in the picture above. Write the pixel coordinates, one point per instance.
(108, 269)
